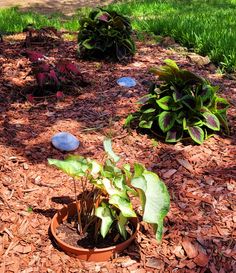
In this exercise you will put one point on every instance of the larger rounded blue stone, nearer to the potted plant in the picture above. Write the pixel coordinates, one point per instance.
(65, 142)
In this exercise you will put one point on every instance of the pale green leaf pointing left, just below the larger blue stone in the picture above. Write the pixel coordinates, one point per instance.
(74, 165)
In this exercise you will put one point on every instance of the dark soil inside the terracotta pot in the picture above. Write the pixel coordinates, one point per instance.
(67, 232)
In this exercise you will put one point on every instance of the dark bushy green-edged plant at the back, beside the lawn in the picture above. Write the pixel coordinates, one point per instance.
(105, 35)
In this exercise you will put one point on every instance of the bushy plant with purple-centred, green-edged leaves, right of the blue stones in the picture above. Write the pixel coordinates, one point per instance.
(181, 105)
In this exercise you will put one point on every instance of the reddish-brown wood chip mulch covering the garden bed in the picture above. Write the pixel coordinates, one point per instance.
(199, 230)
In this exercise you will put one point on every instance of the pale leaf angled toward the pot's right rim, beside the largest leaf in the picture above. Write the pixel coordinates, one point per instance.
(123, 205)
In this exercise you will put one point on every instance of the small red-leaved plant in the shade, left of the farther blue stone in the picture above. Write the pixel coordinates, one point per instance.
(52, 76)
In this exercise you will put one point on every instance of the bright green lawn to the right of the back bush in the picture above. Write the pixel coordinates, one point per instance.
(208, 26)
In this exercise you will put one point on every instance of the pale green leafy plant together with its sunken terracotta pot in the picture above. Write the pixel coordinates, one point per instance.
(103, 216)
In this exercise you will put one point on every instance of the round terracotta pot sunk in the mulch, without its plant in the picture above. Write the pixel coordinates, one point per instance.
(96, 254)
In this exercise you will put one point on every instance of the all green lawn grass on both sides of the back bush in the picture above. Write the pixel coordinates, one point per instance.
(208, 26)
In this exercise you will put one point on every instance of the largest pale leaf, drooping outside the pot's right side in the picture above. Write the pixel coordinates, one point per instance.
(156, 199)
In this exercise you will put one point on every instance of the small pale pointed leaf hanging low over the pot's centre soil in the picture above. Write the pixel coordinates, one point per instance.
(104, 213)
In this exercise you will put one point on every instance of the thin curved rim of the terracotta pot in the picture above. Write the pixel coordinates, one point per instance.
(133, 220)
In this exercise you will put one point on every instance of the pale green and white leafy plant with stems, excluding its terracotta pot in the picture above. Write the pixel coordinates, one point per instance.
(110, 187)
